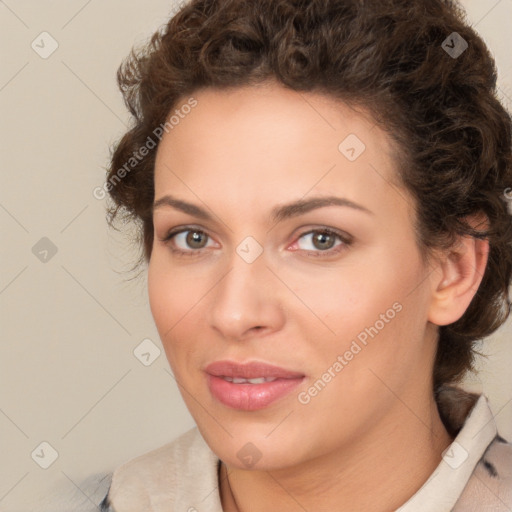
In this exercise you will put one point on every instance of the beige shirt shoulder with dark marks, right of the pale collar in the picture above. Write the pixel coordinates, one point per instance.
(491, 481)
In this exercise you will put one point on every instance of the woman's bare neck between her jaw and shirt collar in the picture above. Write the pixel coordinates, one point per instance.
(392, 461)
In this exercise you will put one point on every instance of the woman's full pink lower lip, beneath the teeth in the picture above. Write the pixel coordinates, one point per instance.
(250, 397)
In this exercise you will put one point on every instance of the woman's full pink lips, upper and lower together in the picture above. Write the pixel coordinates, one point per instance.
(247, 396)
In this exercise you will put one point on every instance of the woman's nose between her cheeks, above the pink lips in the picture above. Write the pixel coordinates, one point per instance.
(246, 301)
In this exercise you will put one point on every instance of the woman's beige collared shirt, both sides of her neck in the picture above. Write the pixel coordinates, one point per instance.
(474, 475)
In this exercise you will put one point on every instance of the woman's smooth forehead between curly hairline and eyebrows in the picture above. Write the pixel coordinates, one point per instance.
(267, 142)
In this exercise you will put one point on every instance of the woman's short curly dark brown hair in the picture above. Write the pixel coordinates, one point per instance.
(390, 56)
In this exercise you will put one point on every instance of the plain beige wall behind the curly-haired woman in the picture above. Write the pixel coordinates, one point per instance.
(70, 321)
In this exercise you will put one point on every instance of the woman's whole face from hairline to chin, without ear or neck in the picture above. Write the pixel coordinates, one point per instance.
(250, 278)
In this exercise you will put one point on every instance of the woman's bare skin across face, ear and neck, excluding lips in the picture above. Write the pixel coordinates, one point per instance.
(372, 436)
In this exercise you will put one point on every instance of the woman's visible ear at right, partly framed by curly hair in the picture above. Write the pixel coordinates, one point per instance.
(457, 276)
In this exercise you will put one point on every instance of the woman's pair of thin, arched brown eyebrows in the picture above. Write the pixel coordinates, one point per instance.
(278, 214)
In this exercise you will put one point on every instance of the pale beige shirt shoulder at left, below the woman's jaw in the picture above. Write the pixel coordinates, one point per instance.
(154, 480)
